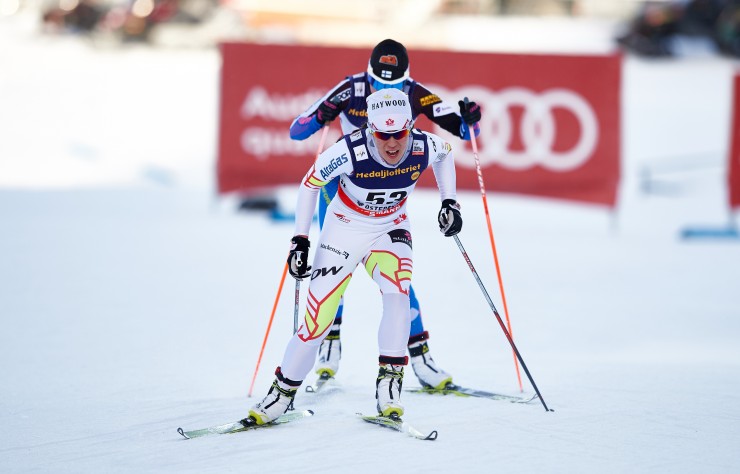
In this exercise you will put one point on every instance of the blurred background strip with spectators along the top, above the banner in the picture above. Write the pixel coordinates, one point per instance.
(650, 28)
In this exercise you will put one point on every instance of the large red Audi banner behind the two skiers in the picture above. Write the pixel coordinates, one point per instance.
(550, 126)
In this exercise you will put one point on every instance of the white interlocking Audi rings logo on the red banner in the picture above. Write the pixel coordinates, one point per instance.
(537, 127)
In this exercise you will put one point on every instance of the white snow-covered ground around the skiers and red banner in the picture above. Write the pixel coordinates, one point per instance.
(134, 301)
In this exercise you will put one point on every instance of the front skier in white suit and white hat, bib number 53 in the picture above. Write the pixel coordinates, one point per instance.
(377, 167)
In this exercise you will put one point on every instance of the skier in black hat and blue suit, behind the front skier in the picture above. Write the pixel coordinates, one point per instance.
(388, 68)
